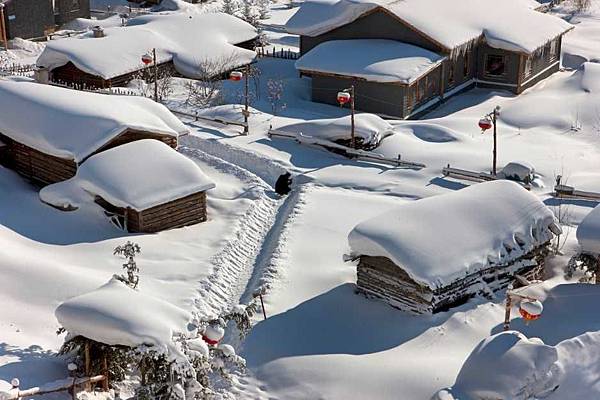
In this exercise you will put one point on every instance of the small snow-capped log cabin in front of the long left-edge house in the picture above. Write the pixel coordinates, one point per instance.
(144, 186)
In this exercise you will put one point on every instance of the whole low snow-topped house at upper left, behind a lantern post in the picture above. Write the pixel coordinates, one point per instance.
(203, 45)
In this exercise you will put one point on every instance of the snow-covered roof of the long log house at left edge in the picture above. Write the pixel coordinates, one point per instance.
(74, 124)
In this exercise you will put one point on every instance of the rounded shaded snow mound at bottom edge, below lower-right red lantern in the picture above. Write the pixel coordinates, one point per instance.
(507, 366)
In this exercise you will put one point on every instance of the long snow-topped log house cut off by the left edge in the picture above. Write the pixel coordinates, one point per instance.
(70, 126)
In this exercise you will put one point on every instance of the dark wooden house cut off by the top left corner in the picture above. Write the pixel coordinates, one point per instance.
(36, 18)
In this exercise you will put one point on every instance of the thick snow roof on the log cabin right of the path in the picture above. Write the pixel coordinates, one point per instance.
(443, 238)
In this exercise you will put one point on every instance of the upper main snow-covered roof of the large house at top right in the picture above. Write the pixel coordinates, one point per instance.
(511, 25)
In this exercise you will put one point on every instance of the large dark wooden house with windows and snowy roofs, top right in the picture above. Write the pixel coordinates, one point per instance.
(403, 57)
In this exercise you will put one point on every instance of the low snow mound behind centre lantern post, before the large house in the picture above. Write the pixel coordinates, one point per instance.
(369, 127)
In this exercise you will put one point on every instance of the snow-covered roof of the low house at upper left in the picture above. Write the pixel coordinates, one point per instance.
(186, 39)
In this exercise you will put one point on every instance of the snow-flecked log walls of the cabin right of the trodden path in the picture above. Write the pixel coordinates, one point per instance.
(380, 277)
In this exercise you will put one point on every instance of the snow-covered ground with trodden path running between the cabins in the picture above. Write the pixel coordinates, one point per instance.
(321, 340)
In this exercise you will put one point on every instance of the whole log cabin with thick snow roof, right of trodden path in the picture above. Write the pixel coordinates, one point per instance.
(428, 255)
